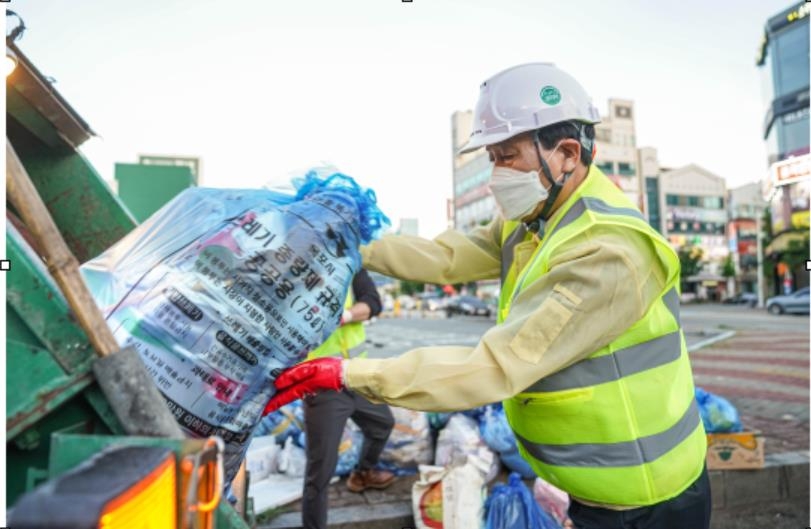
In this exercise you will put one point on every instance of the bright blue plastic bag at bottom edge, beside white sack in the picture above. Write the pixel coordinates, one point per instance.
(512, 506)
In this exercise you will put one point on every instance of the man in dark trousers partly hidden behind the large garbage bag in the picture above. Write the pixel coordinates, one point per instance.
(325, 413)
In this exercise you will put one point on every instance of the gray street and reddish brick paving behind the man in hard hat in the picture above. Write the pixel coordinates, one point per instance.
(763, 368)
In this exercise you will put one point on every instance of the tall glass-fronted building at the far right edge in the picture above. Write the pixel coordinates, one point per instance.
(783, 60)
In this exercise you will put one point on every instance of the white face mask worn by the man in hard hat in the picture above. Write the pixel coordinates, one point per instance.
(517, 193)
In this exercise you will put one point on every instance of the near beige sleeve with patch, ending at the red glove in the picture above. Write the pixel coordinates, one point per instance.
(596, 288)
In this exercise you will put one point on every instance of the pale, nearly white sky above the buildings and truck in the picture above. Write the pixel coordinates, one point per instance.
(261, 90)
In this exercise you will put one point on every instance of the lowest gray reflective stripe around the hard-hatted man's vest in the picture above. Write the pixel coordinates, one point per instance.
(629, 453)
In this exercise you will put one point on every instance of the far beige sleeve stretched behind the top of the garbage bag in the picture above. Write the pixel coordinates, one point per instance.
(452, 257)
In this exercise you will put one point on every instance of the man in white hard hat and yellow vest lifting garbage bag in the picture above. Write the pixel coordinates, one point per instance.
(588, 354)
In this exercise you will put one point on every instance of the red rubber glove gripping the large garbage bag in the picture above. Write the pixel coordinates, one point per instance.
(304, 379)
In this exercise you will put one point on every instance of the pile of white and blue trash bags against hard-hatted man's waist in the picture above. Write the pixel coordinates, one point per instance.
(470, 447)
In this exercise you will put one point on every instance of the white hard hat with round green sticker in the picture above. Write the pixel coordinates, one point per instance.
(527, 97)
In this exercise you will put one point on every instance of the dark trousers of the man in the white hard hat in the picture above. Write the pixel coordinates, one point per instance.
(689, 510)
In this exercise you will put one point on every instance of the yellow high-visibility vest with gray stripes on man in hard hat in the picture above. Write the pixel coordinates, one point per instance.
(621, 426)
